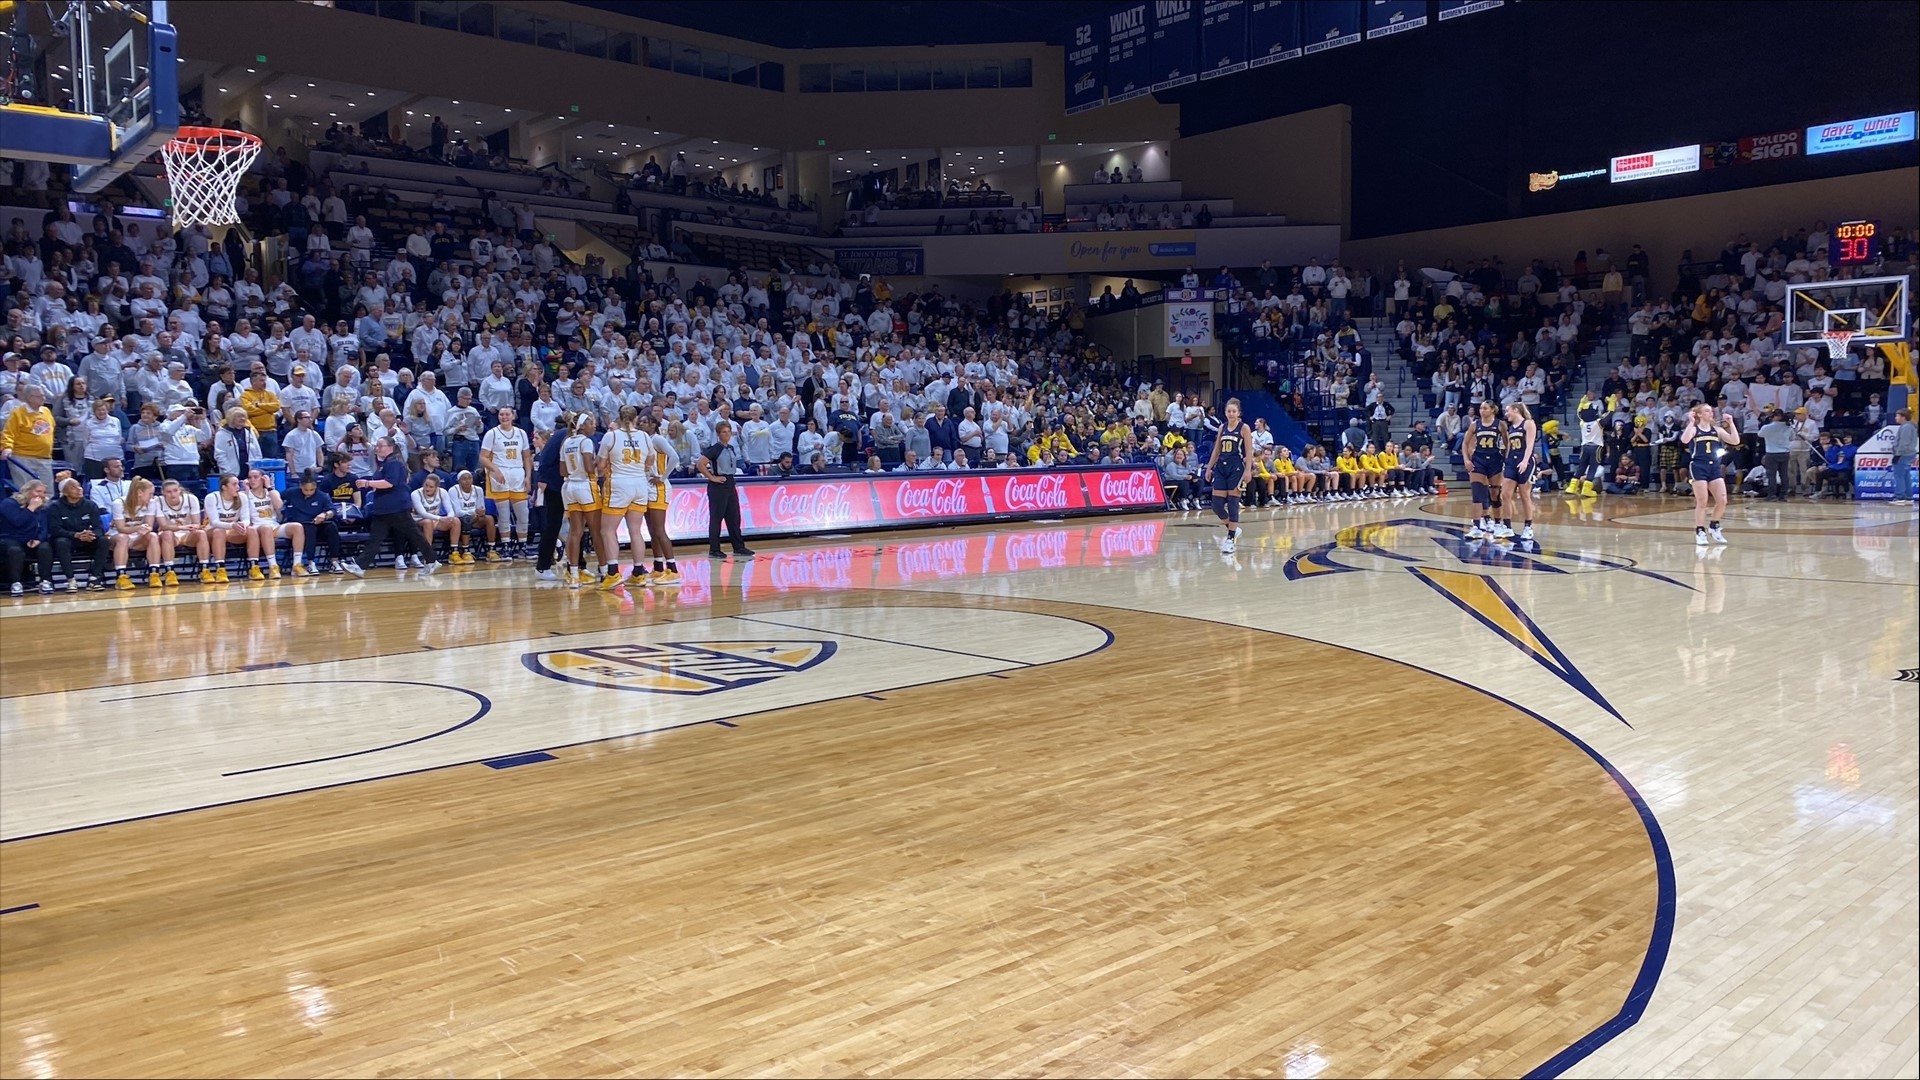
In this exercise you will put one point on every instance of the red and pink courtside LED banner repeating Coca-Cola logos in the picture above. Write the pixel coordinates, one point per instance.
(846, 503)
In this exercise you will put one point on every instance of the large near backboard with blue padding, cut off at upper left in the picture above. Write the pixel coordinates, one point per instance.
(89, 84)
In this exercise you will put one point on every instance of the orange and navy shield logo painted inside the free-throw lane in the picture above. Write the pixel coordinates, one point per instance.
(688, 670)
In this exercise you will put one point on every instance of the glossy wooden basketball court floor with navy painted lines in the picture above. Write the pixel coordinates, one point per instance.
(1047, 800)
